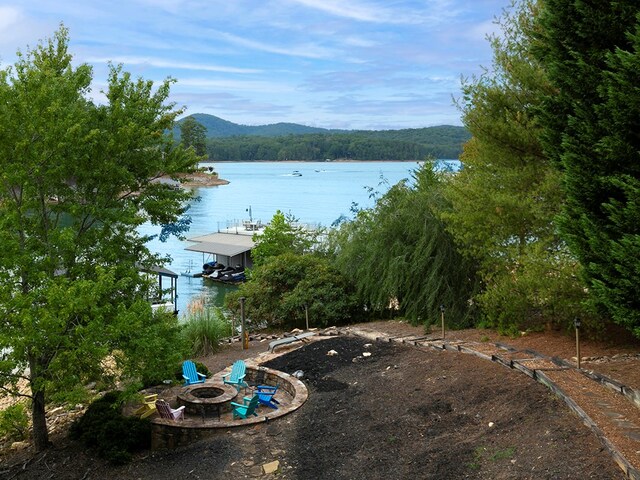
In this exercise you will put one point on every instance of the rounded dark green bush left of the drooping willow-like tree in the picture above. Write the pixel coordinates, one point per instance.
(279, 289)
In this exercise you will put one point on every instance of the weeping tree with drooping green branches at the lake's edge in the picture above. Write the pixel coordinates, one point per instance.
(401, 259)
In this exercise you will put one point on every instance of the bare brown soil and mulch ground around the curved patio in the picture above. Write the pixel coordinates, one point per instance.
(400, 413)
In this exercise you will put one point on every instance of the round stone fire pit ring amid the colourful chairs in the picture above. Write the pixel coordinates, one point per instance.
(207, 399)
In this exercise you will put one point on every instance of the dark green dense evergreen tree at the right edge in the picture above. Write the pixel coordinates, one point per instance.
(591, 53)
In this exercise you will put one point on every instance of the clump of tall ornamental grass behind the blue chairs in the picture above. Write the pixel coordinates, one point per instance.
(203, 328)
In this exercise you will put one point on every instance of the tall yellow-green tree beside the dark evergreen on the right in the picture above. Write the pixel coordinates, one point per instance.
(504, 200)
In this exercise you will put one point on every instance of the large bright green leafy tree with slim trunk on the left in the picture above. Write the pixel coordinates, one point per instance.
(76, 180)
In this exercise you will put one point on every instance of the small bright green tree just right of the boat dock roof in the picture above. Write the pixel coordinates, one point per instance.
(282, 235)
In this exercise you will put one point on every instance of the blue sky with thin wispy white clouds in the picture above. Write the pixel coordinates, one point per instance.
(354, 64)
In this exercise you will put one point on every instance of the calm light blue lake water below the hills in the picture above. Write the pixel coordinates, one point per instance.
(320, 195)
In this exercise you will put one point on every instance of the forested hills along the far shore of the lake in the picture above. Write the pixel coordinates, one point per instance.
(228, 141)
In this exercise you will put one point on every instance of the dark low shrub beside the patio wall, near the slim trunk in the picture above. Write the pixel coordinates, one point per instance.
(114, 437)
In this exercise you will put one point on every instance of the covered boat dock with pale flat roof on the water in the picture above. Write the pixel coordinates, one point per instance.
(230, 249)
